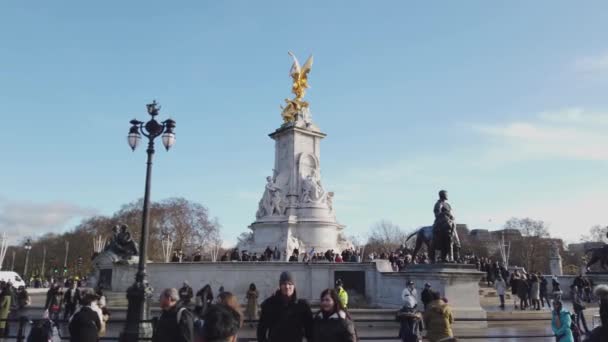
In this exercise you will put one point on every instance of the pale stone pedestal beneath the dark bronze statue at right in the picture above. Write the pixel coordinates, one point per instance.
(458, 283)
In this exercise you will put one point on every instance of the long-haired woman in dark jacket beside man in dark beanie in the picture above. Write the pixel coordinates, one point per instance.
(331, 323)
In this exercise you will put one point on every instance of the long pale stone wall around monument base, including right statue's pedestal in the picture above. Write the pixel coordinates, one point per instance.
(369, 284)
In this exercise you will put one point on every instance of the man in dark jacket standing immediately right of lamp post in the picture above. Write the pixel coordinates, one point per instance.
(175, 323)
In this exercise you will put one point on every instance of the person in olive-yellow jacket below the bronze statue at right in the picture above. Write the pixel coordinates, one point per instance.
(438, 320)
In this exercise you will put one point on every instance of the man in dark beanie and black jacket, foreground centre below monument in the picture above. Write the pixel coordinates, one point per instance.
(284, 317)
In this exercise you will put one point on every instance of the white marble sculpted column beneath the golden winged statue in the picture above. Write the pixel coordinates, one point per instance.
(295, 210)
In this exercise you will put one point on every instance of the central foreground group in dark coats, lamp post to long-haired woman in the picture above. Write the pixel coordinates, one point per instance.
(187, 316)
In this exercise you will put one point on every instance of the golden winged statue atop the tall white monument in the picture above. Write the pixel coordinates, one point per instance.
(299, 85)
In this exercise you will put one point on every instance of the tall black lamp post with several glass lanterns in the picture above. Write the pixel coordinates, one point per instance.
(139, 292)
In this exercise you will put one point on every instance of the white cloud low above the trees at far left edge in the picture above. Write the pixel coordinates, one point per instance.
(21, 219)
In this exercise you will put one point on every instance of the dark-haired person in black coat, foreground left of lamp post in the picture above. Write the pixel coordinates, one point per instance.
(85, 324)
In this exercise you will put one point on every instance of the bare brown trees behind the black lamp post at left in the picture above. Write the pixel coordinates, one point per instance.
(188, 224)
